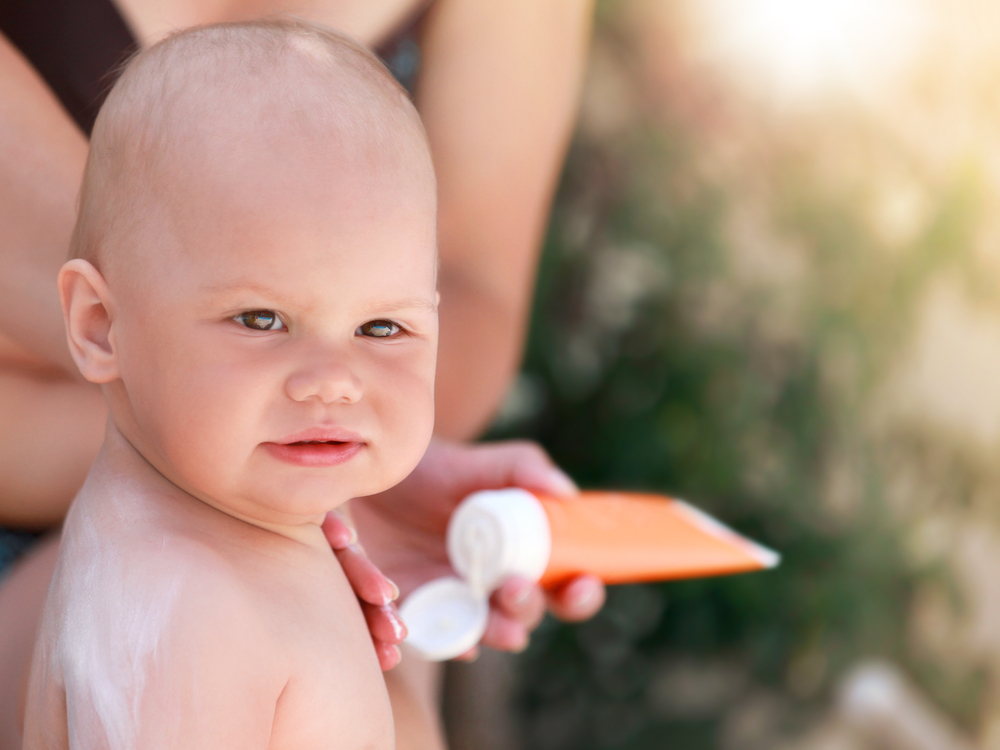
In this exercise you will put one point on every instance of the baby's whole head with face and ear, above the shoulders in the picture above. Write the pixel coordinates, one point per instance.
(254, 268)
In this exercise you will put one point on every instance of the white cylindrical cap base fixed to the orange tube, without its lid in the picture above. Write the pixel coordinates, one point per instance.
(495, 534)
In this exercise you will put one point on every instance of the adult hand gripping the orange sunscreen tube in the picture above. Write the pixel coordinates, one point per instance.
(404, 532)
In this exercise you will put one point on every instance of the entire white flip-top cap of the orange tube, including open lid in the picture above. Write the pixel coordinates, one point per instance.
(491, 535)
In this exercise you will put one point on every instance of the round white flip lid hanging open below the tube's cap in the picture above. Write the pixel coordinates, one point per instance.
(445, 618)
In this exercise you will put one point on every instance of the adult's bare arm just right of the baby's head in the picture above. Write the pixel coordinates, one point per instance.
(497, 92)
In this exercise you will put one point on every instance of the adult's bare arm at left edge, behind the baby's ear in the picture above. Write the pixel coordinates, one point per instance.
(52, 421)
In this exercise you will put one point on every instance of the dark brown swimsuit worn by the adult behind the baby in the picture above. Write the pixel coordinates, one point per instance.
(77, 46)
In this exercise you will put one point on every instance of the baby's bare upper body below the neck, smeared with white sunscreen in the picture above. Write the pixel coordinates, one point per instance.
(170, 624)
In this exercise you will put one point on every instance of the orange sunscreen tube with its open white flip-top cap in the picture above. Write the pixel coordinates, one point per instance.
(619, 537)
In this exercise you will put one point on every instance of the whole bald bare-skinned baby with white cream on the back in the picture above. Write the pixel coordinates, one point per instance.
(253, 286)
